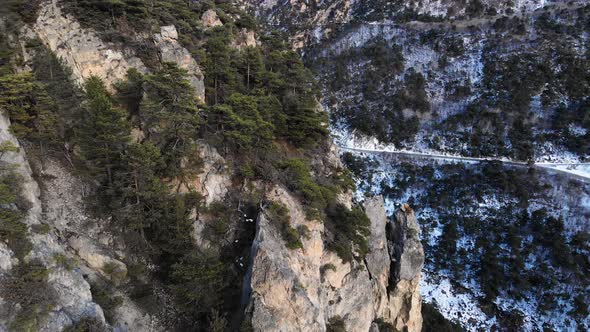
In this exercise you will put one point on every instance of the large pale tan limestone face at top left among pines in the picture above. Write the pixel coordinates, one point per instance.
(82, 50)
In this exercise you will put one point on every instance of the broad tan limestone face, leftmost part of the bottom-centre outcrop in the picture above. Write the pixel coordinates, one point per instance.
(285, 293)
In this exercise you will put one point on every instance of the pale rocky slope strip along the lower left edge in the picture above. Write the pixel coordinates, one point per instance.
(70, 292)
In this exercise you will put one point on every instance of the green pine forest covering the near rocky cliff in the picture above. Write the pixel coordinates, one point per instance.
(261, 105)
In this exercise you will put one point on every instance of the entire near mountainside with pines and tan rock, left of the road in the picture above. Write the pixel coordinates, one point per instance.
(166, 166)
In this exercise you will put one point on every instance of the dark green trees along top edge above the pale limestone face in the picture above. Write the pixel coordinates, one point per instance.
(120, 21)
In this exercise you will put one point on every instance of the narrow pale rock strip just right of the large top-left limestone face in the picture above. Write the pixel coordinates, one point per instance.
(172, 51)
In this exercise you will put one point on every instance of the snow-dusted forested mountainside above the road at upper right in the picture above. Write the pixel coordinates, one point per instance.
(478, 78)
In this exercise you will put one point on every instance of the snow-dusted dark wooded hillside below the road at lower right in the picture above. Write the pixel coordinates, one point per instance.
(505, 248)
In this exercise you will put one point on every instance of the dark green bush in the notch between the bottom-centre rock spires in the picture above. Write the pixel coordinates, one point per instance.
(349, 232)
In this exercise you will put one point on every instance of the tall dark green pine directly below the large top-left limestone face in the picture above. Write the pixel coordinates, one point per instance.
(104, 132)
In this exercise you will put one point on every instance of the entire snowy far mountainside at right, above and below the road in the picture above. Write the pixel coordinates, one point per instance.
(506, 245)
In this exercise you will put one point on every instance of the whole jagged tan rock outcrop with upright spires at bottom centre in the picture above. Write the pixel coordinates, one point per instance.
(300, 290)
